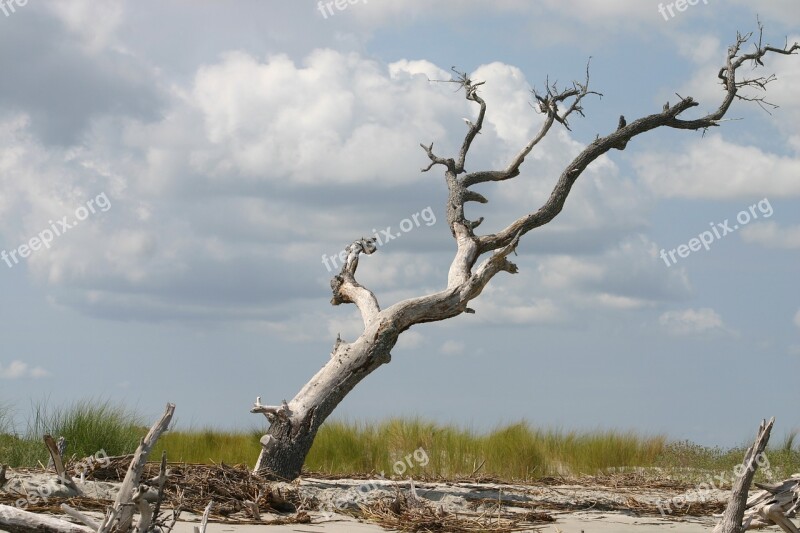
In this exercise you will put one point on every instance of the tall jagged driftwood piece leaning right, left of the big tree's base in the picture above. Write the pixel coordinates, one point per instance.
(124, 505)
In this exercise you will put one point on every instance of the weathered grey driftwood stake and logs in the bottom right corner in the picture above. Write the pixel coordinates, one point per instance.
(774, 505)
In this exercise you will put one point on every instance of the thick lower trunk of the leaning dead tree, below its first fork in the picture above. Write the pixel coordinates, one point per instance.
(294, 425)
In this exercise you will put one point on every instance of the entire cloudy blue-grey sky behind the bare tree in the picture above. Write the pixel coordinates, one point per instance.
(175, 176)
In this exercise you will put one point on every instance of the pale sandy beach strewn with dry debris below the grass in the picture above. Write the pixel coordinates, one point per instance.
(611, 504)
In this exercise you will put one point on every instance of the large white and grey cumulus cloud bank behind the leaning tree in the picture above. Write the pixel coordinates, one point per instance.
(233, 186)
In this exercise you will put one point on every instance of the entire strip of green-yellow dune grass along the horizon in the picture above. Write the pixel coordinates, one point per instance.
(396, 447)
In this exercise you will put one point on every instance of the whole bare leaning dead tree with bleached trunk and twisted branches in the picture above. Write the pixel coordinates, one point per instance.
(479, 257)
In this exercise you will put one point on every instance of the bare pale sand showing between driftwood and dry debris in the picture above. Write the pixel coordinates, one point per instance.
(580, 507)
